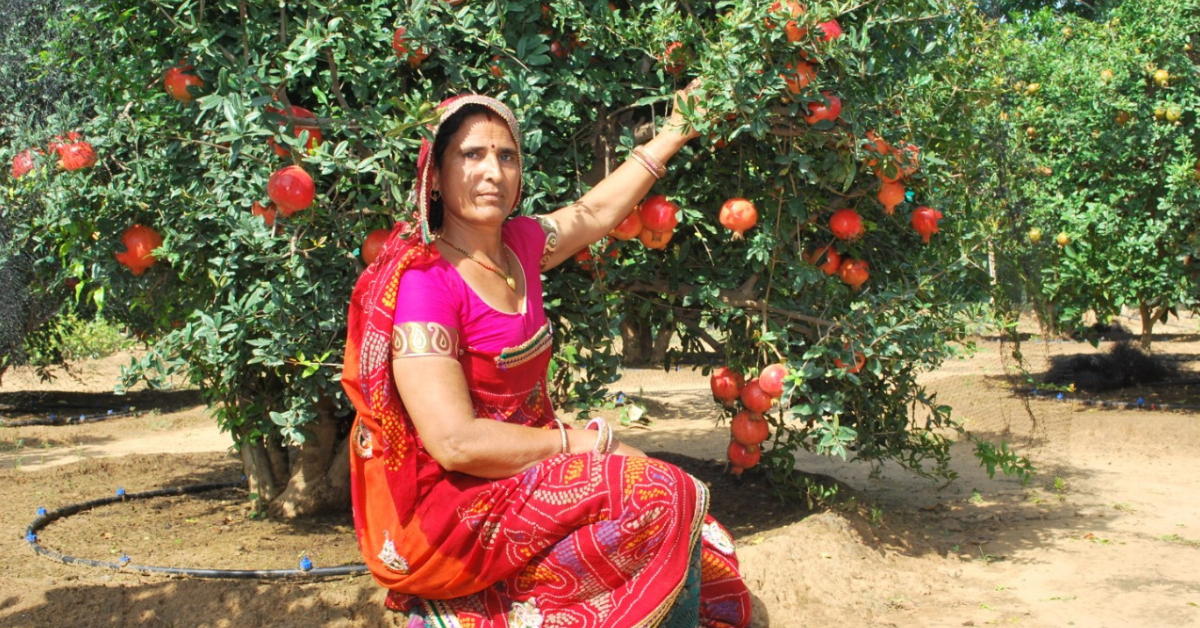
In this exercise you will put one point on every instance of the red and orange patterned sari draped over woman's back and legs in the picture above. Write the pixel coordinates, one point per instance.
(580, 541)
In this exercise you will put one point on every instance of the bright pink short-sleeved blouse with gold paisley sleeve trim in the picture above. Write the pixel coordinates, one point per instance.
(437, 294)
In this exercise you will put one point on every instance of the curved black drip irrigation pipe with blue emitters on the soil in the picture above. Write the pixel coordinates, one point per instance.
(125, 565)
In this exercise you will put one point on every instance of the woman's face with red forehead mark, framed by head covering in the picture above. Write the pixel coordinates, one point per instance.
(481, 172)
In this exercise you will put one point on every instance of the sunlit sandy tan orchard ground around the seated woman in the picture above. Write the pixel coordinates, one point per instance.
(1108, 534)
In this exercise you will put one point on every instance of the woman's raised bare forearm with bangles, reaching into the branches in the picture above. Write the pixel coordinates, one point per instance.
(607, 205)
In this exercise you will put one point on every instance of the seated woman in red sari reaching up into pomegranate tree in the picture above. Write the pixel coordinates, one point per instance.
(473, 505)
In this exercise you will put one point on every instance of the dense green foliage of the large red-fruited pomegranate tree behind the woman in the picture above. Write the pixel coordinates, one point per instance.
(255, 313)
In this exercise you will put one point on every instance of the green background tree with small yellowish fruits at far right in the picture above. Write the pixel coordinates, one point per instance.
(1101, 116)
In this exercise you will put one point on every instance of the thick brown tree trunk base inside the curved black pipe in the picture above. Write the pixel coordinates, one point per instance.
(302, 481)
